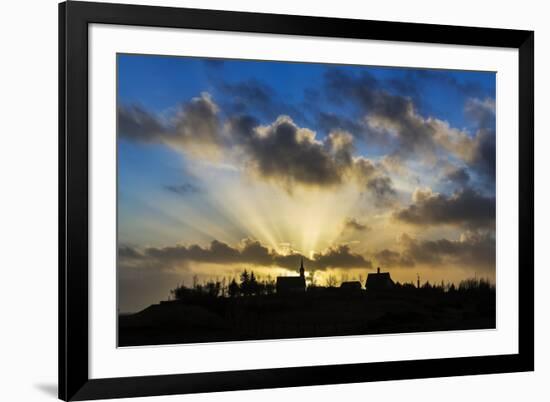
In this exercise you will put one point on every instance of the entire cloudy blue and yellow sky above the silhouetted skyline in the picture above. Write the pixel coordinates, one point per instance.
(225, 165)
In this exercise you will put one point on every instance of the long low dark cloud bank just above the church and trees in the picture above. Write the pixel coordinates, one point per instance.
(251, 252)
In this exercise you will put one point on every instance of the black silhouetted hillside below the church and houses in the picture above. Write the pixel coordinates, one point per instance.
(196, 317)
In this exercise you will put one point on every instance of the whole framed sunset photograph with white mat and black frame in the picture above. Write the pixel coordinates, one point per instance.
(258, 201)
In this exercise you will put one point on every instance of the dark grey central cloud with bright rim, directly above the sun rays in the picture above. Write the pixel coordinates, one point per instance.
(290, 155)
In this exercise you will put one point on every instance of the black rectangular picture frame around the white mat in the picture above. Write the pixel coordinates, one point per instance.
(74, 19)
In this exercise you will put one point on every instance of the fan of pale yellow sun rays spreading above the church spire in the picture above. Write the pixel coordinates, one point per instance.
(306, 221)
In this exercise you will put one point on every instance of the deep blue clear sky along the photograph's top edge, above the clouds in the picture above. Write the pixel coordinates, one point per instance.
(160, 82)
